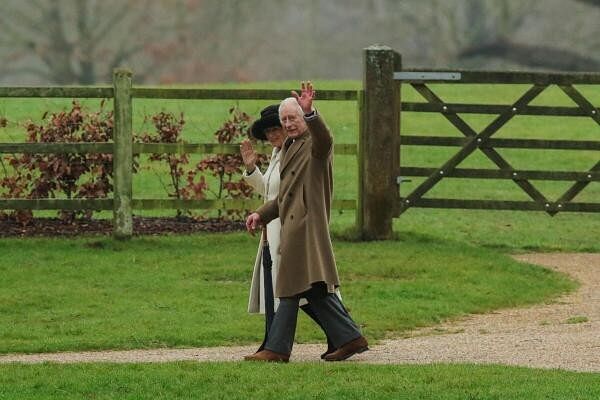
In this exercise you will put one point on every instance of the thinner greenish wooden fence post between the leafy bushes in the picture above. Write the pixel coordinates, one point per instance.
(123, 155)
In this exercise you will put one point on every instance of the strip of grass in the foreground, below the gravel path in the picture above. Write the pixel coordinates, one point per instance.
(293, 381)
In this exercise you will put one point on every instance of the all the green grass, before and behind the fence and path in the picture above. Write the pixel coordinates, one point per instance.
(178, 291)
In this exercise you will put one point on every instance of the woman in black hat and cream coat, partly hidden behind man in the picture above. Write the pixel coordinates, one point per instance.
(268, 127)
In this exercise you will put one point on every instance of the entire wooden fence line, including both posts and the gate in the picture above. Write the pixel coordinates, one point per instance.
(379, 106)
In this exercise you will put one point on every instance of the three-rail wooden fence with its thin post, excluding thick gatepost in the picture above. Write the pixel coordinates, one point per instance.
(123, 148)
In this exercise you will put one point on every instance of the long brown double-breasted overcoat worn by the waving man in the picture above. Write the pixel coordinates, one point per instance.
(303, 205)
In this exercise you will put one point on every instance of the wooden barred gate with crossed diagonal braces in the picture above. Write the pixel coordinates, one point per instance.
(482, 141)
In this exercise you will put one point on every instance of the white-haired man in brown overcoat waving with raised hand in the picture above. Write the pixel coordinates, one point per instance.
(307, 266)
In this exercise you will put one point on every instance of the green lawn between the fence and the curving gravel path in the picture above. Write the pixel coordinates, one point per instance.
(178, 291)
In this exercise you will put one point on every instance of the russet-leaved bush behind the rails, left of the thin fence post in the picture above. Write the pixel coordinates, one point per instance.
(70, 175)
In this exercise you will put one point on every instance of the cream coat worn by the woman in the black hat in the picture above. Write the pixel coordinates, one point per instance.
(267, 185)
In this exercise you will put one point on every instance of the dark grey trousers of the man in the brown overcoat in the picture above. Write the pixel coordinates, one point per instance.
(335, 320)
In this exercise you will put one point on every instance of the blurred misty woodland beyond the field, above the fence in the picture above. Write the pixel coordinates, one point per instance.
(197, 41)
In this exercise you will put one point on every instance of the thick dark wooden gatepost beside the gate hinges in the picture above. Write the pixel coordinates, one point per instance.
(379, 144)
